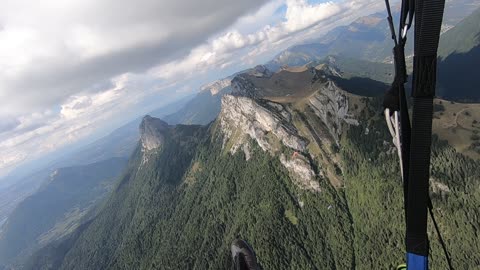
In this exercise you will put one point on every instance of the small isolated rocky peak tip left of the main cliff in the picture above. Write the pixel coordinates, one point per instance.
(152, 132)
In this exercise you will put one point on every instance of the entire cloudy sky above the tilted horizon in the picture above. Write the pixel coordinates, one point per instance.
(75, 69)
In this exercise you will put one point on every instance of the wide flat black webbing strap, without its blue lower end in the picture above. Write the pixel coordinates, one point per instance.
(428, 21)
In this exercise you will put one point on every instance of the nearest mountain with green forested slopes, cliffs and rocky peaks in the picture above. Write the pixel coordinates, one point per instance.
(306, 174)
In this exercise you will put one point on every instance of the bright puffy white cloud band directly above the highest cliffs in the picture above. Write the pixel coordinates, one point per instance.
(299, 16)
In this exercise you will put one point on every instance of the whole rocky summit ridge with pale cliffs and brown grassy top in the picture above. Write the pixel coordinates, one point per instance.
(284, 129)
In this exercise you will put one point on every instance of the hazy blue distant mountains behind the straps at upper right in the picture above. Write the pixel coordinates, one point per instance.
(367, 38)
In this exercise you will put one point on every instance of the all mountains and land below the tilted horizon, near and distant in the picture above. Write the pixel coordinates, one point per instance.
(292, 156)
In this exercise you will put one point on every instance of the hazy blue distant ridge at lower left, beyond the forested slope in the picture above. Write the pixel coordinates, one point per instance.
(57, 208)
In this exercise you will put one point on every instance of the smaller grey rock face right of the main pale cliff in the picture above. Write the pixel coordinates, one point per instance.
(331, 105)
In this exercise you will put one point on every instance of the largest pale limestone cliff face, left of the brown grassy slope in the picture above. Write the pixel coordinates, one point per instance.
(270, 125)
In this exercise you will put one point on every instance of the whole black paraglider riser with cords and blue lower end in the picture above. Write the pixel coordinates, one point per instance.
(414, 142)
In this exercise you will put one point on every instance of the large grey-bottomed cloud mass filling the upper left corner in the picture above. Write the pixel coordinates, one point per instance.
(53, 49)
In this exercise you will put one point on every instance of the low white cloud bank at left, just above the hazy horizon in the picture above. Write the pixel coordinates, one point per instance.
(37, 133)
